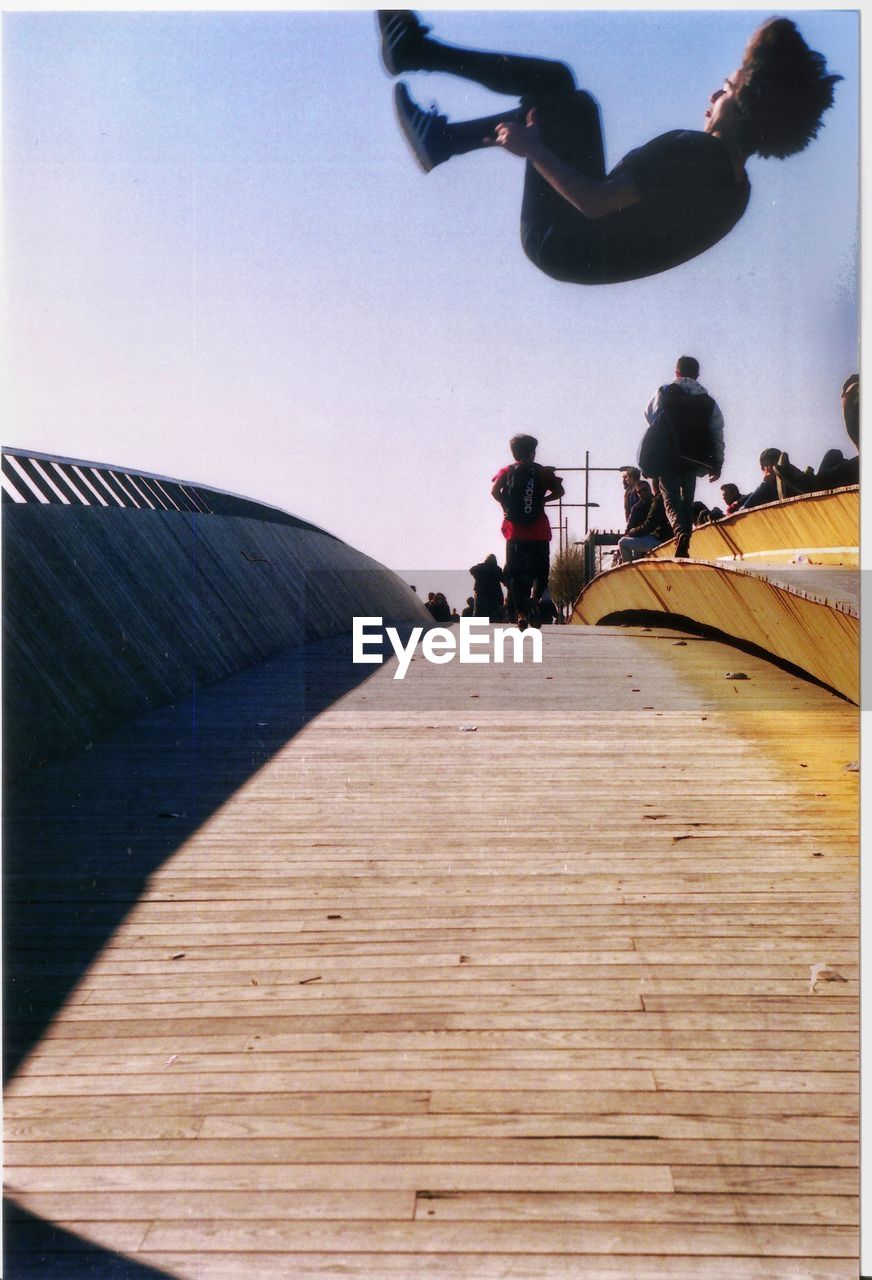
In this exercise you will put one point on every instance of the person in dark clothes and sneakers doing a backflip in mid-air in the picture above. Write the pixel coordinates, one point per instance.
(664, 203)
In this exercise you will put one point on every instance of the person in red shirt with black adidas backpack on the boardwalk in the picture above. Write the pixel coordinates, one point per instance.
(523, 490)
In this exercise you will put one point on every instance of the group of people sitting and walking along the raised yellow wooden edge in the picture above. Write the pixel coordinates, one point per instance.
(686, 441)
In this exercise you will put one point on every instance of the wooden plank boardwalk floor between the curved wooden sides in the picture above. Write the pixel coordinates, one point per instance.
(492, 972)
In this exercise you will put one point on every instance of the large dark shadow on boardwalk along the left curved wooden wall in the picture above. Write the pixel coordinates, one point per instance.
(83, 836)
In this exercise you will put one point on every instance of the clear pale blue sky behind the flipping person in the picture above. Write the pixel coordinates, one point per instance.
(223, 266)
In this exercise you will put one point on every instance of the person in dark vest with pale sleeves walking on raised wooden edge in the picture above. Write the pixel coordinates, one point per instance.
(684, 441)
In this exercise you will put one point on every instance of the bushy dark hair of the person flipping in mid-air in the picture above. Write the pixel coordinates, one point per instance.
(783, 90)
